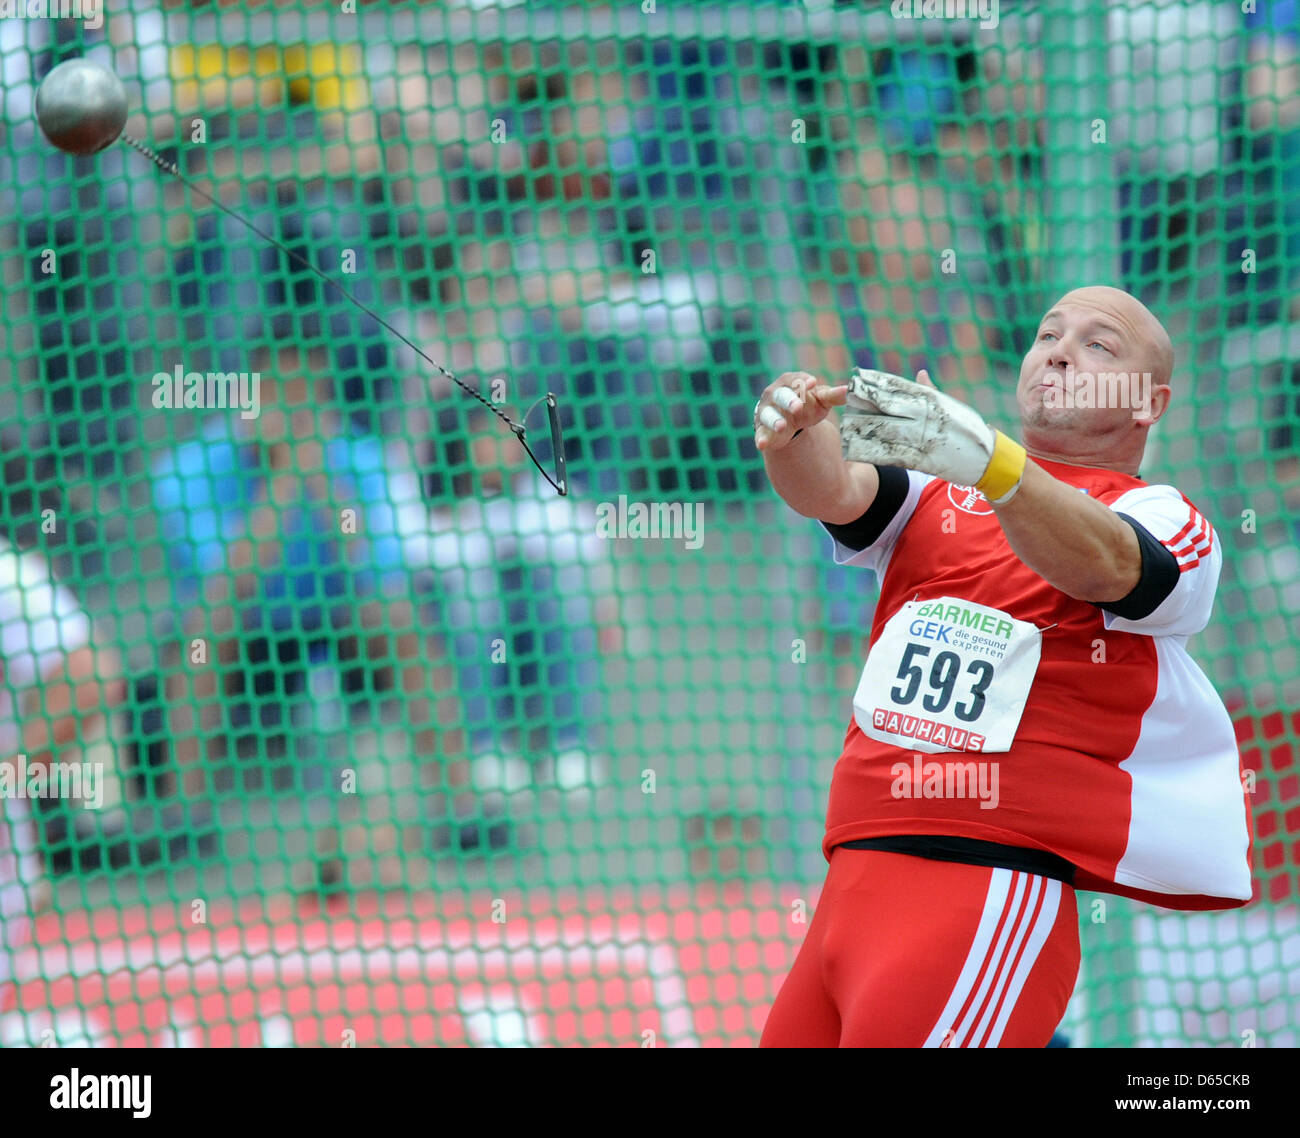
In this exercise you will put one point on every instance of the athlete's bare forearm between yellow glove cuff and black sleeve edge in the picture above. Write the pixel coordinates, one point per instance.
(1072, 540)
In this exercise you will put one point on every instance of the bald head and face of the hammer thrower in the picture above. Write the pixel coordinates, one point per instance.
(1091, 373)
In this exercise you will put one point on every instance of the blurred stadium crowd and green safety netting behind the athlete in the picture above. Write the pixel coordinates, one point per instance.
(354, 817)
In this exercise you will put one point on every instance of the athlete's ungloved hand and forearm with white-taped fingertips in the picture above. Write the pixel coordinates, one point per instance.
(809, 473)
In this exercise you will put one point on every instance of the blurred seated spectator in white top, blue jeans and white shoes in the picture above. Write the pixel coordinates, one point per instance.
(528, 604)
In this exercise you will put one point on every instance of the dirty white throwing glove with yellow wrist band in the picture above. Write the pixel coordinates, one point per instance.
(890, 421)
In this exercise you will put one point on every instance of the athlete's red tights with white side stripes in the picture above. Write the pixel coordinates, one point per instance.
(911, 953)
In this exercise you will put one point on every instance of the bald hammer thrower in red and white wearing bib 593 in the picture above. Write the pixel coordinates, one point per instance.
(1029, 721)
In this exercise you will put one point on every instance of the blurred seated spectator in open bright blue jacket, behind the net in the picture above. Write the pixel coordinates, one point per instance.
(314, 612)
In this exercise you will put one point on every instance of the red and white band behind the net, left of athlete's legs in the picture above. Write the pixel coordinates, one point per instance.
(600, 970)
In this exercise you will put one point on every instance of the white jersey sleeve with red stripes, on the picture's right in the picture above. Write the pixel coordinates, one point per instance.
(1185, 540)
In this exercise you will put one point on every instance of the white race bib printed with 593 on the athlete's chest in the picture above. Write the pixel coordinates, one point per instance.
(948, 676)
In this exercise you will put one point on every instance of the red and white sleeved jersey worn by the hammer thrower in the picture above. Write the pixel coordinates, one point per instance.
(1124, 760)
